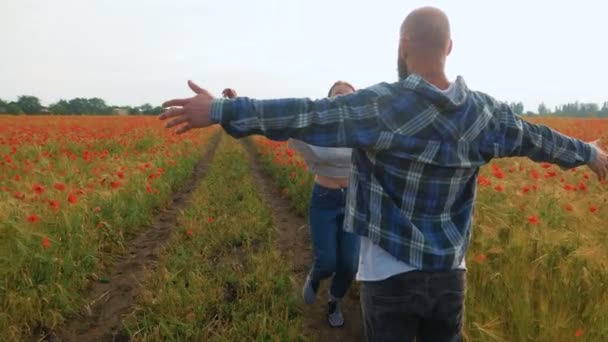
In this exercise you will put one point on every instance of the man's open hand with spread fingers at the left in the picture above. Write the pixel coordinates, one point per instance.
(195, 112)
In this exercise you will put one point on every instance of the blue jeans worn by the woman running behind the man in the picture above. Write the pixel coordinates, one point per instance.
(335, 252)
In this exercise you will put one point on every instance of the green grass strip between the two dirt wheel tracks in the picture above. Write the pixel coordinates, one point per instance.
(222, 278)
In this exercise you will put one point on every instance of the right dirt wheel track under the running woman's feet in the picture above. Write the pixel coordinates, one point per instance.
(294, 243)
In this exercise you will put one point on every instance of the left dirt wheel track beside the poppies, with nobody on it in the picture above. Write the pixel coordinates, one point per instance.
(109, 302)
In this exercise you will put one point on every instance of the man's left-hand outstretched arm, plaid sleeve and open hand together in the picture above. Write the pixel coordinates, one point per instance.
(351, 120)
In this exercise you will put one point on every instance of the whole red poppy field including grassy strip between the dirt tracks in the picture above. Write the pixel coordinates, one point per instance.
(75, 190)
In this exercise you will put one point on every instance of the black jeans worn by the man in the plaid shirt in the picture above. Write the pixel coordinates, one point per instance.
(425, 305)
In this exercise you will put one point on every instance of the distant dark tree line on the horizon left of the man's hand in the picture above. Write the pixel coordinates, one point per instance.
(30, 105)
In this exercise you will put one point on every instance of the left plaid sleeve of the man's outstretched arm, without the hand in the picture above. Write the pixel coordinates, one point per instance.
(344, 121)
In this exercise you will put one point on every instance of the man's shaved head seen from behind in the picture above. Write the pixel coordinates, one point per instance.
(425, 41)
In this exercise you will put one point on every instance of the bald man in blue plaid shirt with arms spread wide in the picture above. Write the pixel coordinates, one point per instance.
(417, 145)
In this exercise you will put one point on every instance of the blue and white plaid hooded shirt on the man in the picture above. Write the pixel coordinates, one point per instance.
(416, 156)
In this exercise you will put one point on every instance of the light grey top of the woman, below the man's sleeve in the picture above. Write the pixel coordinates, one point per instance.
(324, 161)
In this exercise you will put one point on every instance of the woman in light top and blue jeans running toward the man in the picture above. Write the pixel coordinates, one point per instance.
(335, 252)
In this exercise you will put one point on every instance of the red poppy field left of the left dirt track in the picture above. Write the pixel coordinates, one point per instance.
(72, 191)
